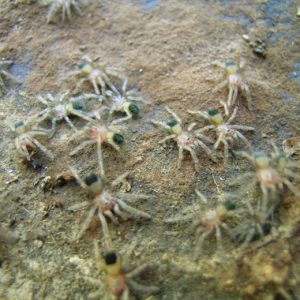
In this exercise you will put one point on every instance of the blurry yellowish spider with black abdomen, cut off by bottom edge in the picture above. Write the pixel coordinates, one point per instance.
(118, 280)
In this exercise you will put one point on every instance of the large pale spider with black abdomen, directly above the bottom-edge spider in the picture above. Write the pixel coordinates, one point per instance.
(106, 203)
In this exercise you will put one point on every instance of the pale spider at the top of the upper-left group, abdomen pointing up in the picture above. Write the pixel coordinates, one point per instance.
(97, 76)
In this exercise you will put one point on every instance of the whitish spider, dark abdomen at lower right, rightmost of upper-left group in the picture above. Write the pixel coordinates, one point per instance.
(123, 102)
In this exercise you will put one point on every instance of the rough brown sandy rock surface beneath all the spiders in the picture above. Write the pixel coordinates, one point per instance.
(166, 48)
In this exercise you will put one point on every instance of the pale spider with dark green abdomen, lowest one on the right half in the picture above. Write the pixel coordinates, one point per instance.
(207, 221)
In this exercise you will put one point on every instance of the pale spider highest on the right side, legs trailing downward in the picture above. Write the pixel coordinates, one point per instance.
(235, 82)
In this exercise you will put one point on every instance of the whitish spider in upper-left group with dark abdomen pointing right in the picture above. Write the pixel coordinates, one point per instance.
(59, 108)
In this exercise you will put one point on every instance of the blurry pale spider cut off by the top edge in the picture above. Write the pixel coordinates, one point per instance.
(65, 6)
